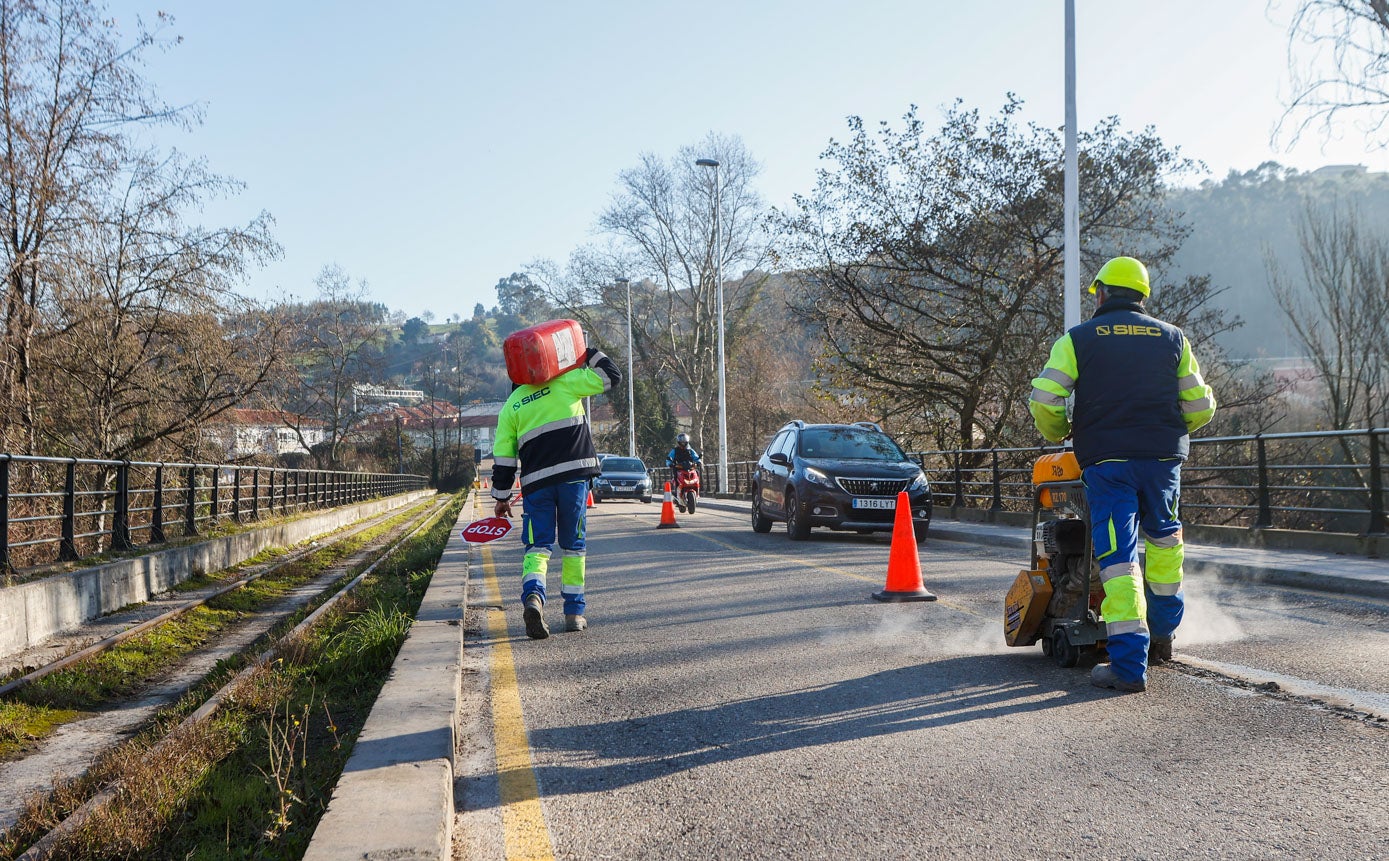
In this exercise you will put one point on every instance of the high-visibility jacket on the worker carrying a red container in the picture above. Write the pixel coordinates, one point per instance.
(542, 430)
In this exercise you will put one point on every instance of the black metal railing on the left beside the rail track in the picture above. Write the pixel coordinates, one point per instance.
(60, 509)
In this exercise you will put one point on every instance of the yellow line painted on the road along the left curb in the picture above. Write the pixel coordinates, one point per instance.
(523, 819)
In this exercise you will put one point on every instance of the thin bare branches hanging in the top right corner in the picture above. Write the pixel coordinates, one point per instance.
(1338, 58)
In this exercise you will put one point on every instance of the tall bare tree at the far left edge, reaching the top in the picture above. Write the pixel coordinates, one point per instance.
(69, 95)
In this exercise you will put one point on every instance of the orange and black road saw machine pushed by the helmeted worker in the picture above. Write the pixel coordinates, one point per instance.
(1058, 601)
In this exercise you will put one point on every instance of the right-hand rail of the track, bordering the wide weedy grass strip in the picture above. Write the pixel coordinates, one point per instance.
(52, 844)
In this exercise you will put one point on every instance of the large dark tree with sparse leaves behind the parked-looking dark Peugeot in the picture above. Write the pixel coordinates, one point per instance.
(933, 263)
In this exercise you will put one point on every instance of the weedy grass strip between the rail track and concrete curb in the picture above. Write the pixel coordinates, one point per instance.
(253, 783)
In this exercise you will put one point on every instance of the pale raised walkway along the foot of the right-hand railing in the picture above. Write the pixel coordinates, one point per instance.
(1297, 569)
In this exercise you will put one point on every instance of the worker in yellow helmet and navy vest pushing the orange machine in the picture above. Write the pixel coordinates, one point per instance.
(1140, 395)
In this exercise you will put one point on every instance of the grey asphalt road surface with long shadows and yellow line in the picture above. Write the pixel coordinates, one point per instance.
(741, 696)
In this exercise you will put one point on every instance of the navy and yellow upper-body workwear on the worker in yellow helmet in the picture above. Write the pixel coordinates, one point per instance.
(1138, 388)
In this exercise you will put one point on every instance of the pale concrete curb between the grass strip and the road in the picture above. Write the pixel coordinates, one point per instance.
(395, 798)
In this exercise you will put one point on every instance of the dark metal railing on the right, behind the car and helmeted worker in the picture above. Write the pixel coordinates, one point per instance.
(1331, 481)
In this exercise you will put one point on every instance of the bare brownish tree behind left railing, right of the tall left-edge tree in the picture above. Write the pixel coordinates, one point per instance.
(145, 338)
